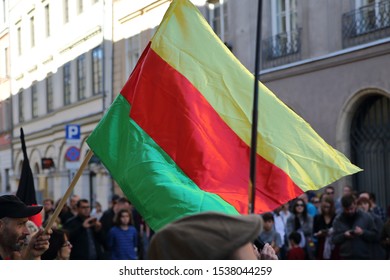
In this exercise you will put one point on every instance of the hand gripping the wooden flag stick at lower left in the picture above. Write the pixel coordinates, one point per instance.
(37, 245)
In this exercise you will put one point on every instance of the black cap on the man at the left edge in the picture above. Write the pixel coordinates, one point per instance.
(12, 207)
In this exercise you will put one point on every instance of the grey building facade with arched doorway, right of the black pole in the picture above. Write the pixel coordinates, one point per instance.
(330, 62)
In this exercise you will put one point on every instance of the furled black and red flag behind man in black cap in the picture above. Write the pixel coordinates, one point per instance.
(26, 188)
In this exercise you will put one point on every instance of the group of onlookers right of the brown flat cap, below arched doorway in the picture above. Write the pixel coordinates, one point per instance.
(321, 226)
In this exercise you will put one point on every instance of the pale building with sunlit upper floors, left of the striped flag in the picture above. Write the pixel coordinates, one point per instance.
(60, 75)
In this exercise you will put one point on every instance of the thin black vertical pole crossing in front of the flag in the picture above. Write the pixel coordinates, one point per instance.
(253, 153)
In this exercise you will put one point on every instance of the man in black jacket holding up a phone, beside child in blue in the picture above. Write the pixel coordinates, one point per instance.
(85, 233)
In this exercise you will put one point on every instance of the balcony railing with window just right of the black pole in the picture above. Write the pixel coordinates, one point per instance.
(281, 49)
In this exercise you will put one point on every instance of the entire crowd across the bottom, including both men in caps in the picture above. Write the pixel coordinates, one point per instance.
(312, 226)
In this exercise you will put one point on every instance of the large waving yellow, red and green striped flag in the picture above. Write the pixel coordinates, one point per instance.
(177, 138)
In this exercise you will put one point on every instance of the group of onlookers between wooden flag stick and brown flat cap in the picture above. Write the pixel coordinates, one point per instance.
(118, 233)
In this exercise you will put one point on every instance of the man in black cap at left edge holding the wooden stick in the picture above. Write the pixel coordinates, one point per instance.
(13, 230)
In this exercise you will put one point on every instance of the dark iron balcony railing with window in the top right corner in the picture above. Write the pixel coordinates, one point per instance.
(366, 24)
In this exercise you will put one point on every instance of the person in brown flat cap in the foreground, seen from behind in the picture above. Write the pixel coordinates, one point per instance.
(210, 236)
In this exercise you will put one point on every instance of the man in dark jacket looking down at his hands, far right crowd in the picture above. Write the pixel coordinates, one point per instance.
(354, 231)
